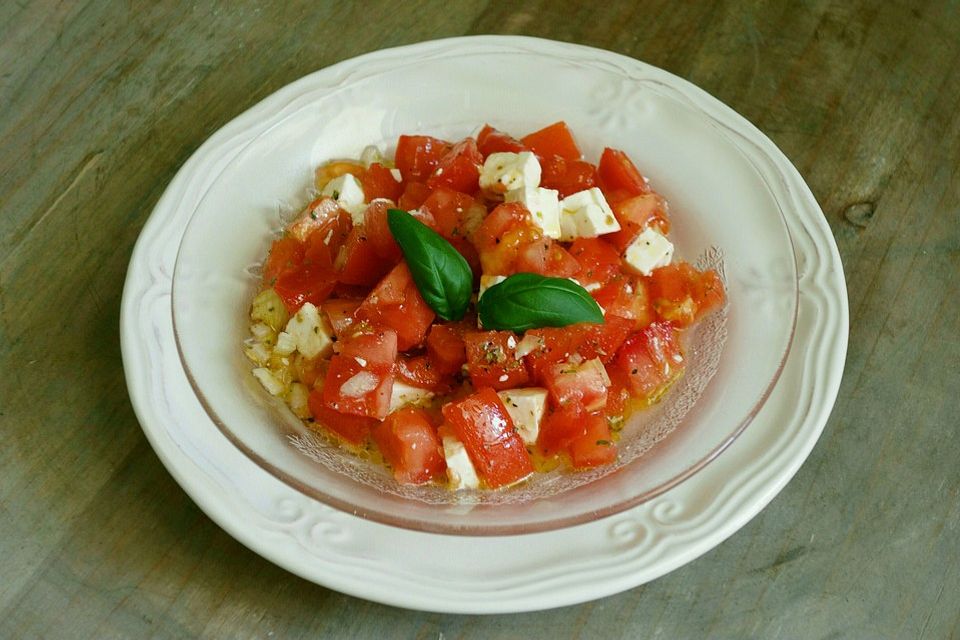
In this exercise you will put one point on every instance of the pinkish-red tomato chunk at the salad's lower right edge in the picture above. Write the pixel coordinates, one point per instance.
(651, 359)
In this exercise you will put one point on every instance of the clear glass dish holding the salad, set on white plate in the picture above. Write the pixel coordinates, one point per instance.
(724, 213)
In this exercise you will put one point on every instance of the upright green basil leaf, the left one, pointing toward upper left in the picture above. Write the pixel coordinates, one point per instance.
(441, 274)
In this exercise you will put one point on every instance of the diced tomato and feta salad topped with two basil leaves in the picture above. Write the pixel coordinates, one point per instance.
(472, 312)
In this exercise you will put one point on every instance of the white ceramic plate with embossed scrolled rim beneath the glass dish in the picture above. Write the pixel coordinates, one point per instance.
(491, 574)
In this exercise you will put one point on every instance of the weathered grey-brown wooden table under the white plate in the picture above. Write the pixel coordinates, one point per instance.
(100, 103)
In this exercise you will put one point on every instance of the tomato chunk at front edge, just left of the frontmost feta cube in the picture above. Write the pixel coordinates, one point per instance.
(410, 444)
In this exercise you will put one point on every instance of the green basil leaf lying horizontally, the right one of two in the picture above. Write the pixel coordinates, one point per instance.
(527, 301)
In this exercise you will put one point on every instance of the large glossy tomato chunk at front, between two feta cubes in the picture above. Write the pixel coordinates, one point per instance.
(482, 423)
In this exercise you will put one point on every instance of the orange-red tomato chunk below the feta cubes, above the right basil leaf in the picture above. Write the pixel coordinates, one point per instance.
(502, 235)
